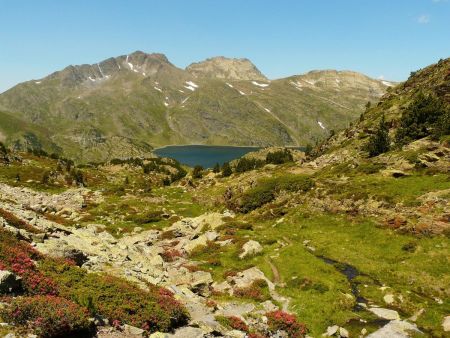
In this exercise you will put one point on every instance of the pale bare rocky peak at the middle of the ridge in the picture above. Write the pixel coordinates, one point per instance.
(226, 68)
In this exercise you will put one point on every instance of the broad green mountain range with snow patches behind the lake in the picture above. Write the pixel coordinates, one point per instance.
(126, 105)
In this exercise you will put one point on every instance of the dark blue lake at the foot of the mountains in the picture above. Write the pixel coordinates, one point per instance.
(206, 156)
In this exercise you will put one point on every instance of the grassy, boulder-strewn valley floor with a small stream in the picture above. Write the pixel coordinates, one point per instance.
(344, 264)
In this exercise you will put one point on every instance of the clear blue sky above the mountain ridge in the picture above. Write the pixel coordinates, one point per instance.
(388, 38)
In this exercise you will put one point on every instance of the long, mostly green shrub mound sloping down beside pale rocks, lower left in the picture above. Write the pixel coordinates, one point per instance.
(117, 299)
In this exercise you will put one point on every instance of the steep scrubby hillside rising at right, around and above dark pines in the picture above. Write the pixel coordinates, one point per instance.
(350, 144)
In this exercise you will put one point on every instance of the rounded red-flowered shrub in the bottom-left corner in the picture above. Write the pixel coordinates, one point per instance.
(49, 316)
